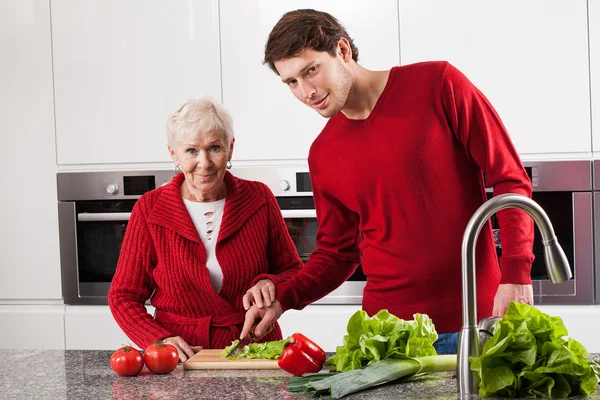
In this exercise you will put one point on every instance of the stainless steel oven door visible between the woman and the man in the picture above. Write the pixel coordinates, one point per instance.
(302, 225)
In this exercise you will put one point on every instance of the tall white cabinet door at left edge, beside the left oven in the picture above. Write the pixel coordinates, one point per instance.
(29, 256)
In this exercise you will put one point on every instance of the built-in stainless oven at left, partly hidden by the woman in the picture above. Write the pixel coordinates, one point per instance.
(94, 208)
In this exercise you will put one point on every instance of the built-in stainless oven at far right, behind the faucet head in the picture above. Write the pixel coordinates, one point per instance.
(564, 190)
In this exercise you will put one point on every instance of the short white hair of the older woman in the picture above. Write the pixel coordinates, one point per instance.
(196, 116)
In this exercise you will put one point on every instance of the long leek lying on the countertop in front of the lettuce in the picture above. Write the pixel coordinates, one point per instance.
(380, 372)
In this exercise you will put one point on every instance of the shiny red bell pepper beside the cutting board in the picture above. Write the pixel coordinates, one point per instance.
(301, 356)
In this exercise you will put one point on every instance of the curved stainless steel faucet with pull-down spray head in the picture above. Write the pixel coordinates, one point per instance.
(557, 265)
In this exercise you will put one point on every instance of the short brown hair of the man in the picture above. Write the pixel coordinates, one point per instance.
(305, 29)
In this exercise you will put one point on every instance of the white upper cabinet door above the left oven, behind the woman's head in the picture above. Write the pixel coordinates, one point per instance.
(121, 67)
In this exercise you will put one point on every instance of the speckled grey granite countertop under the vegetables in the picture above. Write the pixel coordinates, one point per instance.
(83, 375)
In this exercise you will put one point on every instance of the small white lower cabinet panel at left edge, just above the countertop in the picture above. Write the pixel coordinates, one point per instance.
(32, 327)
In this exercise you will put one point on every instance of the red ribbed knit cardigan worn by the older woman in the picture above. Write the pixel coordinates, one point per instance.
(162, 253)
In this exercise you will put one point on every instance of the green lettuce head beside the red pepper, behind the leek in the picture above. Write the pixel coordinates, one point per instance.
(382, 336)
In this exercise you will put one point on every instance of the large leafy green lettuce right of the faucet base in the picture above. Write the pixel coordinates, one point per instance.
(528, 357)
